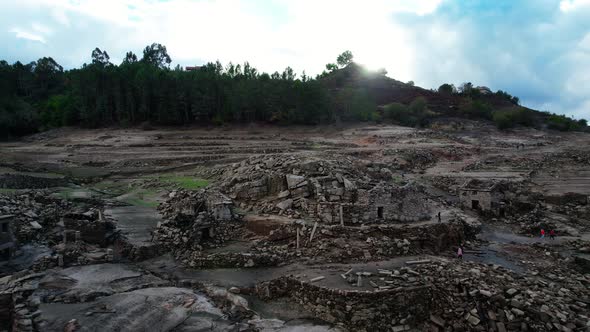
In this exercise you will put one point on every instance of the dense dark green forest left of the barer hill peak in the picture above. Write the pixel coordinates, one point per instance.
(41, 95)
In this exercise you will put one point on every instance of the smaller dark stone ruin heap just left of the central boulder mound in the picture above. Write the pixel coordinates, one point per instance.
(196, 219)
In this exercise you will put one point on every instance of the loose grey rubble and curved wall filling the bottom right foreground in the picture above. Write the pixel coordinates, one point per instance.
(443, 295)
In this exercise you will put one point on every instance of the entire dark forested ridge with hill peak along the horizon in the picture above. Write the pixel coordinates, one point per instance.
(41, 95)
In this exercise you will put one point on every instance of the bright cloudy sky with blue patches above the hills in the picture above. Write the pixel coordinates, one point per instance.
(538, 50)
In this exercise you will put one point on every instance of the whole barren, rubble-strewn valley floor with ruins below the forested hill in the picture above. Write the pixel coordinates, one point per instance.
(257, 228)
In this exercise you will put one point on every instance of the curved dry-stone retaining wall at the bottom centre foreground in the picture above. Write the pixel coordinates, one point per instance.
(382, 310)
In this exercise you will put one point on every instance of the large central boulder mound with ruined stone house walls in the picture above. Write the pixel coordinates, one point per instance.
(345, 191)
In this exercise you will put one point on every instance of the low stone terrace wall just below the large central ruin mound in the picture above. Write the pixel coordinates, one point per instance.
(350, 244)
